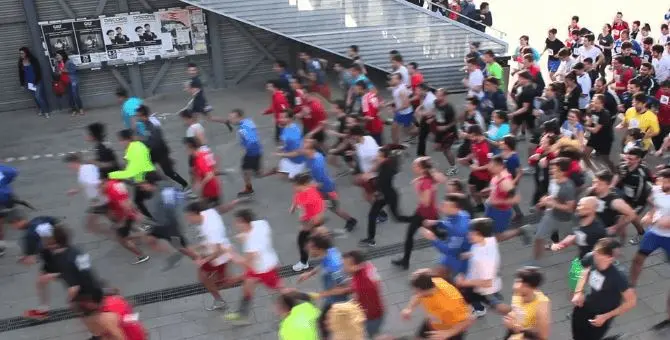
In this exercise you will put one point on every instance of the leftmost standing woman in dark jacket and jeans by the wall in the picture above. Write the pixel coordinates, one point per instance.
(30, 76)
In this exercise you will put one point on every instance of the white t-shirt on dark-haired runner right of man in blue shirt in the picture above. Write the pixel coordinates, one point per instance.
(484, 264)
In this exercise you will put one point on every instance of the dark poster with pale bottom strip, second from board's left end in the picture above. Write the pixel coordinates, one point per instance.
(91, 43)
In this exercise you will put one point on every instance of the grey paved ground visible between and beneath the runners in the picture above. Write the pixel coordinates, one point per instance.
(35, 145)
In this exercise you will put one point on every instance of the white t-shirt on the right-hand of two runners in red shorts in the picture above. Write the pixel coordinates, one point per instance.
(259, 240)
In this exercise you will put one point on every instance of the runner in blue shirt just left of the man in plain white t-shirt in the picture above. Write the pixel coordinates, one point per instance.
(456, 224)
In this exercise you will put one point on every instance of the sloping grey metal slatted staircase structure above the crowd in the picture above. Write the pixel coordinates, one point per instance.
(436, 43)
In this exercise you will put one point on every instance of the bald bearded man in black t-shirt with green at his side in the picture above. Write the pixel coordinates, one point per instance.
(585, 236)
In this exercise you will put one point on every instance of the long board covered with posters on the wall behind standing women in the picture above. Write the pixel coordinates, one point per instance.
(127, 38)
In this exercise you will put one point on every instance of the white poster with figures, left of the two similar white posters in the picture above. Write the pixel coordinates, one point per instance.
(117, 31)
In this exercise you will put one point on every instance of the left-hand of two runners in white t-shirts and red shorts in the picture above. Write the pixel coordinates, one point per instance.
(213, 260)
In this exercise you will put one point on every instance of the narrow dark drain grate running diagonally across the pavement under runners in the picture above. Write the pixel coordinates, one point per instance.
(167, 294)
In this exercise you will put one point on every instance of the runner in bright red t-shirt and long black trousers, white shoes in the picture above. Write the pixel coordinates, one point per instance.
(309, 200)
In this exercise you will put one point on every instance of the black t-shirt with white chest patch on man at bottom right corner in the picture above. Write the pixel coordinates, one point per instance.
(605, 287)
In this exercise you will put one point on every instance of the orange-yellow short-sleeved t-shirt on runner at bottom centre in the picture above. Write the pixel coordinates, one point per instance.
(446, 307)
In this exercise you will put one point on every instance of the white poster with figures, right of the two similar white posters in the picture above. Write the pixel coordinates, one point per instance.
(148, 43)
